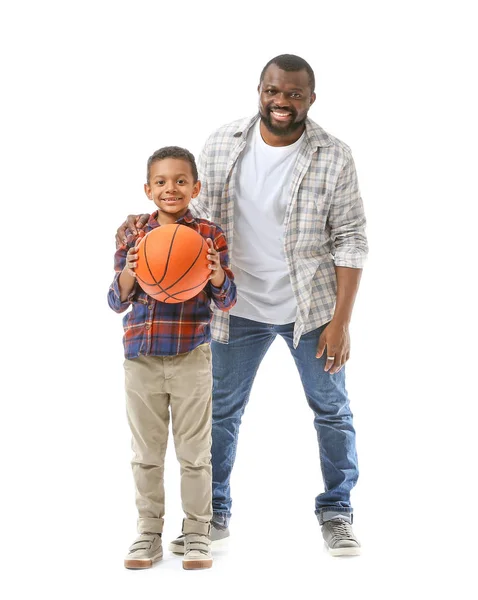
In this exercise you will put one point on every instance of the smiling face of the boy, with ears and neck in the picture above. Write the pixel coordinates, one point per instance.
(171, 186)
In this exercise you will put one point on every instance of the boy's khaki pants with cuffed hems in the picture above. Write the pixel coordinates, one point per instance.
(154, 386)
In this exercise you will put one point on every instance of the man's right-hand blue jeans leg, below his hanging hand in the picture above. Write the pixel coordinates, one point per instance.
(327, 397)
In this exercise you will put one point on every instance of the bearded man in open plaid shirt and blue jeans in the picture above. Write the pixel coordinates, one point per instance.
(286, 194)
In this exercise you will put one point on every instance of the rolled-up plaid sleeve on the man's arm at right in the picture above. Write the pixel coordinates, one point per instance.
(347, 221)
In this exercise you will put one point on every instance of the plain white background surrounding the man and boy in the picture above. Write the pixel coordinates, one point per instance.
(90, 90)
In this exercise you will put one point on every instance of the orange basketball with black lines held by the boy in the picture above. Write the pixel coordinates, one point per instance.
(172, 263)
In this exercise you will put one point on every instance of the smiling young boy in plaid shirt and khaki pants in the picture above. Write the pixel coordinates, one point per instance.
(168, 368)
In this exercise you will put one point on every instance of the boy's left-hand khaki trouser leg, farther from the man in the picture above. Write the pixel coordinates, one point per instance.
(147, 407)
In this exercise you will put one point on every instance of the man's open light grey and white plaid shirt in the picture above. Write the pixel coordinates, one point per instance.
(324, 223)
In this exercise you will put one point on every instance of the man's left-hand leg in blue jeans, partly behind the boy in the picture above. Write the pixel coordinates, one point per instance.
(234, 368)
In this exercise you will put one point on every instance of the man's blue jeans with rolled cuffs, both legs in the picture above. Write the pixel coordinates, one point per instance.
(234, 368)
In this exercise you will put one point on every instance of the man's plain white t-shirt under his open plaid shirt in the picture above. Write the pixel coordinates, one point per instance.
(264, 291)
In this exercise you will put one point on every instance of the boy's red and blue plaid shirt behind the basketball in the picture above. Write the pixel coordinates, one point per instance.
(161, 329)
